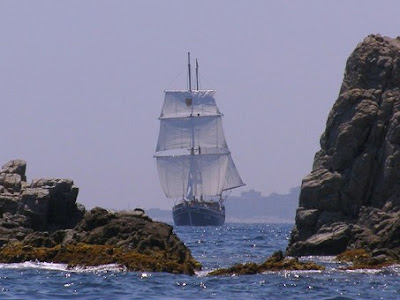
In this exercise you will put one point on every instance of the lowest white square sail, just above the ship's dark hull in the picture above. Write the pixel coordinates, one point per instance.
(195, 175)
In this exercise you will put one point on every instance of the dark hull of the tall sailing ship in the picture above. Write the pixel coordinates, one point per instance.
(197, 213)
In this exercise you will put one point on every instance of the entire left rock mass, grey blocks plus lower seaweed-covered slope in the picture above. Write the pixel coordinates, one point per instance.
(43, 222)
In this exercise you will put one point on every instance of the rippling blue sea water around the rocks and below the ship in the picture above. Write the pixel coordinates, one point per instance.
(214, 247)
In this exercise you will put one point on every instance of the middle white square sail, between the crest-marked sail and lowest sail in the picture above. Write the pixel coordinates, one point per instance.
(197, 132)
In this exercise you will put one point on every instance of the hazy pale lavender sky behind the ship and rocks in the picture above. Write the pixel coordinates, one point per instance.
(81, 85)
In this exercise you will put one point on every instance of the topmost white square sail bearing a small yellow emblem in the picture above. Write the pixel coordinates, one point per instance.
(185, 103)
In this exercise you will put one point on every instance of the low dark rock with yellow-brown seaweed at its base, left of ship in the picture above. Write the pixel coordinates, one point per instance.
(103, 237)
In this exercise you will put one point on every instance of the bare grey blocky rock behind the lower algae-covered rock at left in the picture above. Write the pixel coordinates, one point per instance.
(44, 203)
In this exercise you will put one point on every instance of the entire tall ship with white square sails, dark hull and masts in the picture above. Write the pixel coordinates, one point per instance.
(194, 163)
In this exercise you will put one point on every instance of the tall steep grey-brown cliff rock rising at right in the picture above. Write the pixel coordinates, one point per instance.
(351, 199)
